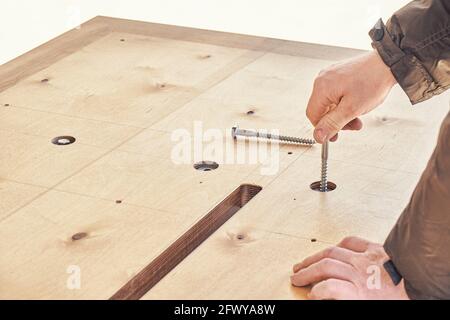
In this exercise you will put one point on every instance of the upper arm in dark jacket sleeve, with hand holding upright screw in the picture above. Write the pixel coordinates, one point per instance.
(413, 49)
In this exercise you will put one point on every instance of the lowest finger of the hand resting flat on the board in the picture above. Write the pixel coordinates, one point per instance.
(334, 289)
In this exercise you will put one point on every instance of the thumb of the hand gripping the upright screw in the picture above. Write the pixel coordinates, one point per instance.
(333, 121)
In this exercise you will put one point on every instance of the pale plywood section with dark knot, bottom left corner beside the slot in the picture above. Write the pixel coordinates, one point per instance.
(120, 240)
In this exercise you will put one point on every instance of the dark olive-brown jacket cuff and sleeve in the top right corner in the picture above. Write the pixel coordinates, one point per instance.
(415, 44)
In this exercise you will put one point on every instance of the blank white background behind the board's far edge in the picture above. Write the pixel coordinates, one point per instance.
(24, 24)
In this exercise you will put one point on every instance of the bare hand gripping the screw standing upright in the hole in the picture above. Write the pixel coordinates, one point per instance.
(344, 91)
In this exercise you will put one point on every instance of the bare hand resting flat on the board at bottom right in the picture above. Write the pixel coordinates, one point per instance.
(351, 270)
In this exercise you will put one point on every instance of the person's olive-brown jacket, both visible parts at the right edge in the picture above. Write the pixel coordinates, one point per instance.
(415, 44)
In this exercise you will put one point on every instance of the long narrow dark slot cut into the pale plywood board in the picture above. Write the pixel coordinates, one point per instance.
(188, 242)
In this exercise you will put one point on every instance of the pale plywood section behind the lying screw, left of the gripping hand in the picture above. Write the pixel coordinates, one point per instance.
(275, 88)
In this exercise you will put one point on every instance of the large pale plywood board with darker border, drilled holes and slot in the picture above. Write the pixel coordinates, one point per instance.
(113, 201)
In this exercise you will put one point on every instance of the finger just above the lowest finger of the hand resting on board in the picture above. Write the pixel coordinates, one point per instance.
(324, 269)
